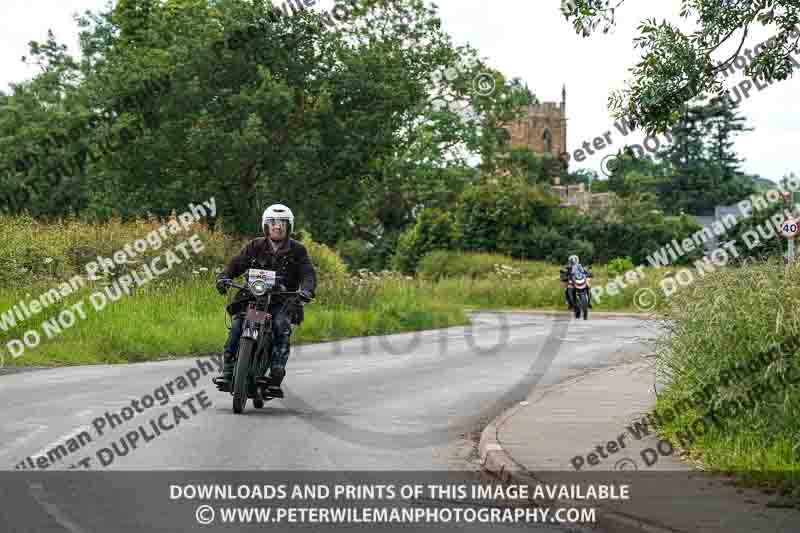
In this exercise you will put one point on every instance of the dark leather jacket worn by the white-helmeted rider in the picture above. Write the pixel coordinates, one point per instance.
(290, 261)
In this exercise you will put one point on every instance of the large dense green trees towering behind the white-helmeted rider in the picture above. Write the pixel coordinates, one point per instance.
(179, 100)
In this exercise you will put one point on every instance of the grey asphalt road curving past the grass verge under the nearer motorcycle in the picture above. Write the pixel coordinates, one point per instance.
(407, 402)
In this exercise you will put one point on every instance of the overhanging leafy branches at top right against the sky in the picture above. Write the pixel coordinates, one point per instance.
(676, 67)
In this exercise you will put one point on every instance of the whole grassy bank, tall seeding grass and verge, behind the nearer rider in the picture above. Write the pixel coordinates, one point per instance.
(179, 313)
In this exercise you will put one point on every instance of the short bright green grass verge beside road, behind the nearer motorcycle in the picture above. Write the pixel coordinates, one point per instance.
(188, 317)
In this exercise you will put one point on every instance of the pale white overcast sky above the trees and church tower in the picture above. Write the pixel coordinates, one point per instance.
(522, 38)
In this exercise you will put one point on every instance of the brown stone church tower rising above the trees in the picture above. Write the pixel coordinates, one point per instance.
(543, 129)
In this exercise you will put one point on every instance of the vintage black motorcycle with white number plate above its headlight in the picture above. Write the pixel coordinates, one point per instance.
(255, 345)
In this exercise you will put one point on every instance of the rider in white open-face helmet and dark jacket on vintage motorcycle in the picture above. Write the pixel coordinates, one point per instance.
(292, 264)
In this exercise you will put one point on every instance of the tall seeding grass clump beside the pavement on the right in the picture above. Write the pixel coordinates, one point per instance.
(734, 349)
